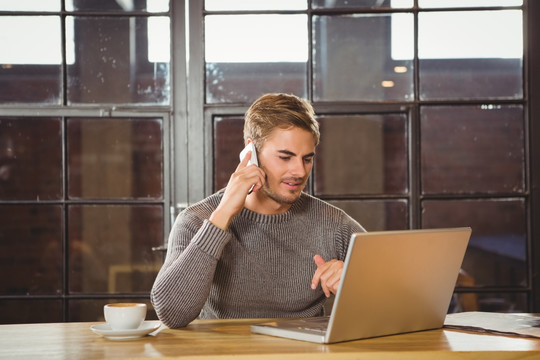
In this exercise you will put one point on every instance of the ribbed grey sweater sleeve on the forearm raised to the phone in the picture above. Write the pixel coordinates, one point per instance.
(183, 283)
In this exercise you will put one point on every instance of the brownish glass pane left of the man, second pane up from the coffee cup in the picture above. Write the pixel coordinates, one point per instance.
(115, 158)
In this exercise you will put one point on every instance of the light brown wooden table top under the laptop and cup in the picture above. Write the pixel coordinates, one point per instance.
(232, 339)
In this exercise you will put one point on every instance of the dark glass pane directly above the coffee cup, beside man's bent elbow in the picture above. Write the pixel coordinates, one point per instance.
(114, 254)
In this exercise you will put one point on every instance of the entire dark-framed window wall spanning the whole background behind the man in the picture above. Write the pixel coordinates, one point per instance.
(114, 115)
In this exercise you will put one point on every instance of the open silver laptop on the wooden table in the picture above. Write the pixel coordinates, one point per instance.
(393, 282)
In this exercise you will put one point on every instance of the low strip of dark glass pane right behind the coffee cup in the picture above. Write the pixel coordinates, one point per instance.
(92, 310)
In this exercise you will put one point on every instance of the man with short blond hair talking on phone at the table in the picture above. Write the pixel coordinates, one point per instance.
(275, 252)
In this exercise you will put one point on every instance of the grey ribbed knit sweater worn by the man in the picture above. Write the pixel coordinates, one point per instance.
(261, 267)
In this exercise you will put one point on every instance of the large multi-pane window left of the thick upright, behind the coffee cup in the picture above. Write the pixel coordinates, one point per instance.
(84, 155)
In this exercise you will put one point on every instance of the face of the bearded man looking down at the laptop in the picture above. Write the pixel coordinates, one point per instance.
(287, 159)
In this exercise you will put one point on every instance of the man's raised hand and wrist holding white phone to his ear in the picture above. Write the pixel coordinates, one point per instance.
(243, 181)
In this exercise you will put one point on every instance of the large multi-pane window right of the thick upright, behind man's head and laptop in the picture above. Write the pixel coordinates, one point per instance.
(422, 106)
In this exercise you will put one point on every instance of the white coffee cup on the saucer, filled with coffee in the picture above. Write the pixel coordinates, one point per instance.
(124, 316)
